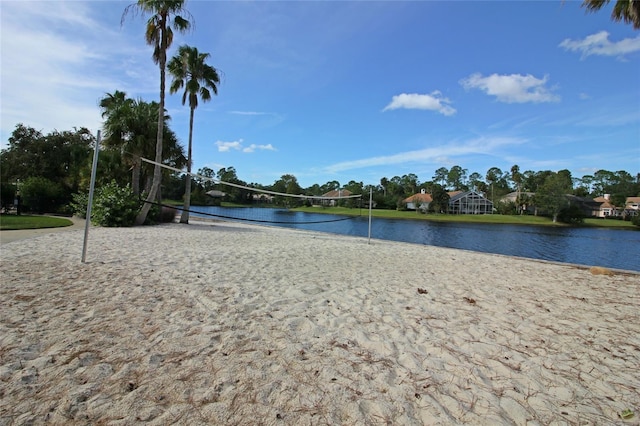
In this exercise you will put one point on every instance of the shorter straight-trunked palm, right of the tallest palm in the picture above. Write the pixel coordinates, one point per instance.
(190, 71)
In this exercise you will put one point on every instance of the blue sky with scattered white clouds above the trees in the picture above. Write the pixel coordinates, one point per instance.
(349, 90)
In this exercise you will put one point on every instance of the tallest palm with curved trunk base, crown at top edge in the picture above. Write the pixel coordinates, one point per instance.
(164, 15)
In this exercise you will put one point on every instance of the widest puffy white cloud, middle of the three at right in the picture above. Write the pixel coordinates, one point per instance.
(512, 88)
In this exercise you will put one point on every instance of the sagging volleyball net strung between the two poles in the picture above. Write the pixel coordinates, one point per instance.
(265, 206)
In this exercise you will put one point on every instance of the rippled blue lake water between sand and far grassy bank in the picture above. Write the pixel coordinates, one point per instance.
(611, 248)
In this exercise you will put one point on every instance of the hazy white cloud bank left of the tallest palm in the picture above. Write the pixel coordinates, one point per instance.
(58, 60)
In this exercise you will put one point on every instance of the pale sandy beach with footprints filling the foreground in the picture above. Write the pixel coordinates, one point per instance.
(241, 325)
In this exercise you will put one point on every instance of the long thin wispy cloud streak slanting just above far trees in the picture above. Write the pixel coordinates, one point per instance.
(483, 145)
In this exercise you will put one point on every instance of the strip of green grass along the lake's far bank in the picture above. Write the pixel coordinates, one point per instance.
(464, 218)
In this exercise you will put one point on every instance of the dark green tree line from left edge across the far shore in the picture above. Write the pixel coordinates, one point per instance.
(49, 169)
